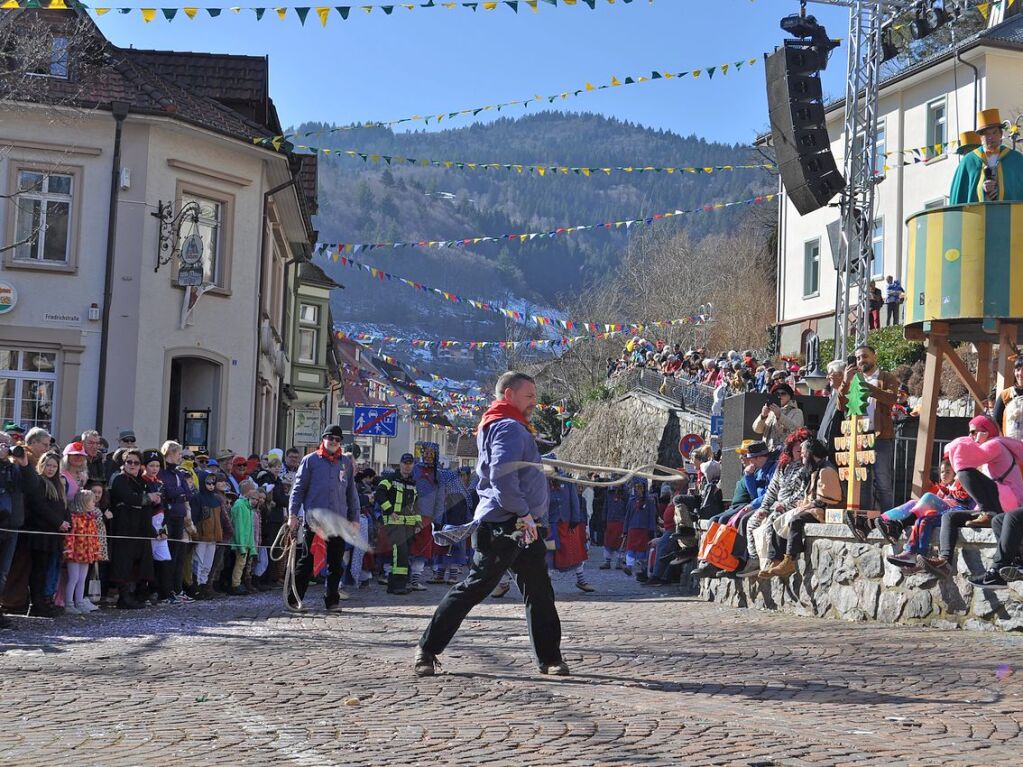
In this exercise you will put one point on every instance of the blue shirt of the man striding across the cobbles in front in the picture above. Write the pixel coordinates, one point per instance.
(508, 492)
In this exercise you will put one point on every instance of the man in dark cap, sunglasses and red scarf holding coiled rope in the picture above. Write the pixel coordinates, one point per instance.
(326, 480)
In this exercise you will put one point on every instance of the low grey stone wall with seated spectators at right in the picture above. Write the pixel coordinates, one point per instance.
(839, 577)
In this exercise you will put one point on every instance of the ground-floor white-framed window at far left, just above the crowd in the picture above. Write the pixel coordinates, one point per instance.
(28, 381)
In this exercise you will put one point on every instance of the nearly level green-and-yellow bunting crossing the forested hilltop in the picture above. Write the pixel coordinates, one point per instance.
(541, 170)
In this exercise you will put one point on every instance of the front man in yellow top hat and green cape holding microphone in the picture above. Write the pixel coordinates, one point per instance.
(992, 172)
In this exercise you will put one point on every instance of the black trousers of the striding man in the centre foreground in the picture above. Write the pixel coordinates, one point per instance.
(496, 553)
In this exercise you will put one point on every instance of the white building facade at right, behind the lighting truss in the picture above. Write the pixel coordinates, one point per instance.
(927, 106)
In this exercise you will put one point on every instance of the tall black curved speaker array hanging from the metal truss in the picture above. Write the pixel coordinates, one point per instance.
(799, 127)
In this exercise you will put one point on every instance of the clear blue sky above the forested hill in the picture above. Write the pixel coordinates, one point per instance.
(375, 68)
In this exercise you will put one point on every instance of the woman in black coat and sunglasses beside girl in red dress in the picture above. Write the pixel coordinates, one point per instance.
(131, 507)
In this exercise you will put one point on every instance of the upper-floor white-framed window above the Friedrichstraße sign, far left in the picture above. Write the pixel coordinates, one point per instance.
(42, 217)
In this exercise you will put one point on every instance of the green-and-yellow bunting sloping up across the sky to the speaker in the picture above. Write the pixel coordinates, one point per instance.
(723, 69)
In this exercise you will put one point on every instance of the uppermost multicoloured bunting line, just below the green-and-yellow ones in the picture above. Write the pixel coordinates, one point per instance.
(346, 248)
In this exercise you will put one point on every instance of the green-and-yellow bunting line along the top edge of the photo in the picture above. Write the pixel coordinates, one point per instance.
(302, 13)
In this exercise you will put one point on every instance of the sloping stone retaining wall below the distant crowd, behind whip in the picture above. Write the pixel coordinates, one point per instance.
(634, 430)
